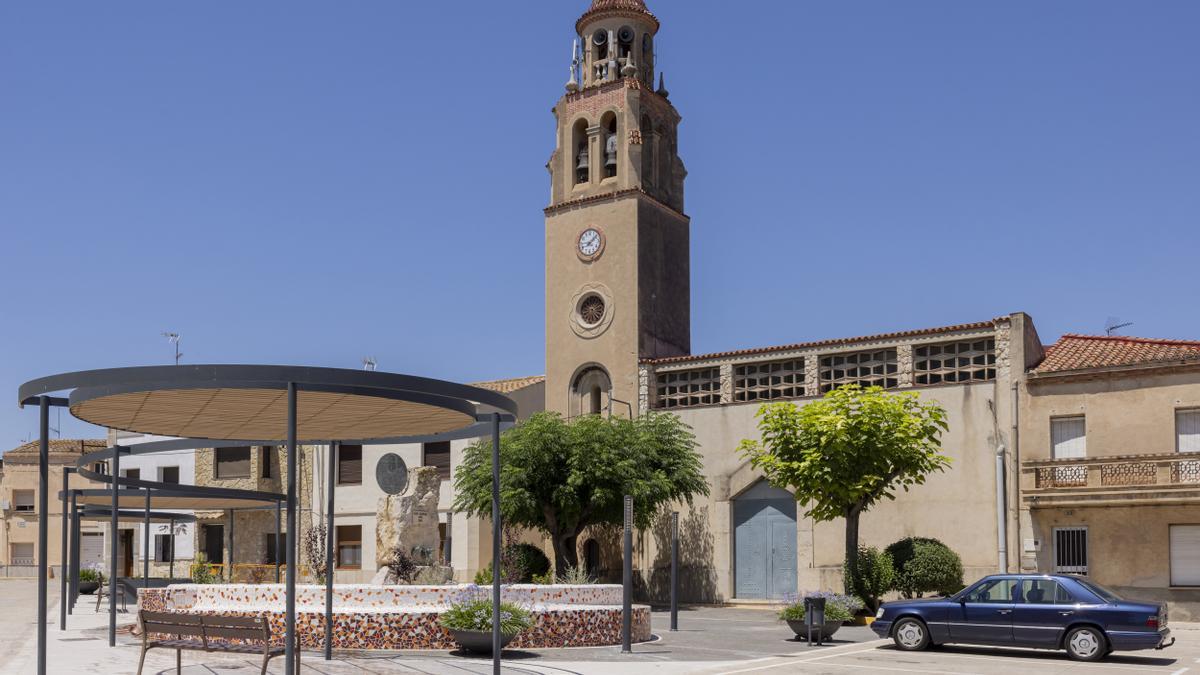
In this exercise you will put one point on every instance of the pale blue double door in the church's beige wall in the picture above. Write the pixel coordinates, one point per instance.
(765, 543)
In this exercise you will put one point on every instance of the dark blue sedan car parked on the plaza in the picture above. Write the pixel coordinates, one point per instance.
(1053, 612)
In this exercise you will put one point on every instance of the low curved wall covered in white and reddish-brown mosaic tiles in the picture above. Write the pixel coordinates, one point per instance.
(404, 618)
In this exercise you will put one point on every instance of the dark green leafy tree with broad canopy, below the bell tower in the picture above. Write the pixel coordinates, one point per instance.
(560, 477)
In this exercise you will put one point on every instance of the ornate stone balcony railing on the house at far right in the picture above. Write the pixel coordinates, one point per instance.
(1114, 473)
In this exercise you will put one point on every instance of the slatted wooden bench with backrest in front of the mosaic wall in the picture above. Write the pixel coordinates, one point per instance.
(199, 634)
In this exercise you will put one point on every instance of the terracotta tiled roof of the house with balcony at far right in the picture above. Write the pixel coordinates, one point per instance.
(1088, 353)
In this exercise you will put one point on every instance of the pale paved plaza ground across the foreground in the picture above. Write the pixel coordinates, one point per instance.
(711, 642)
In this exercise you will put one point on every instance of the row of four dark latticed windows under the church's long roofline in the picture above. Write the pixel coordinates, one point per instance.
(961, 362)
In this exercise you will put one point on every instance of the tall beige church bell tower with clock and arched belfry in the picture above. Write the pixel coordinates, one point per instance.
(617, 240)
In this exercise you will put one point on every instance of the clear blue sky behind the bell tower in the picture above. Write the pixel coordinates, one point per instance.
(295, 182)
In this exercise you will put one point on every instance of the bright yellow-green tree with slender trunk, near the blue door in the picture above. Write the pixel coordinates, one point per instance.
(847, 452)
